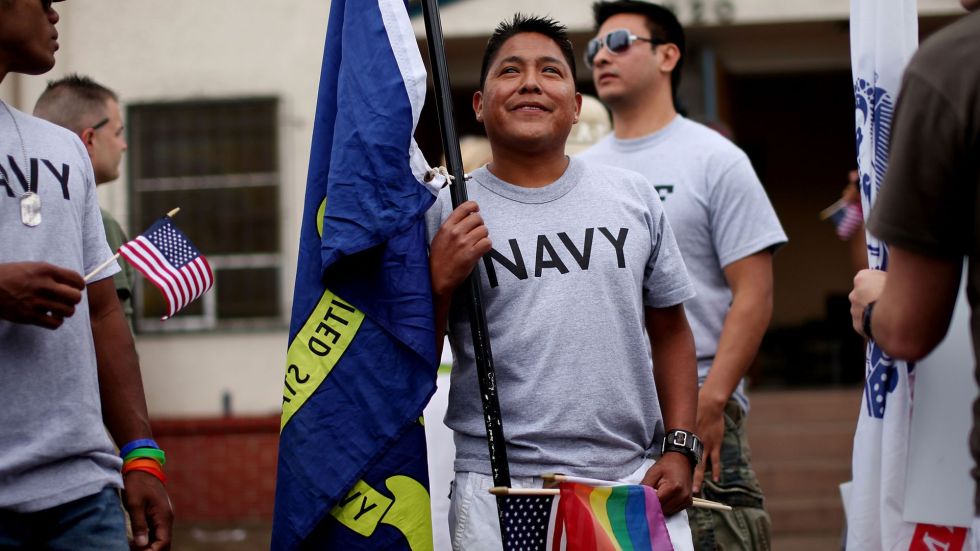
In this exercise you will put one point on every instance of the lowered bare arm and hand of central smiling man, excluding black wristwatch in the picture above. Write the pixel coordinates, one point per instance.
(676, 375)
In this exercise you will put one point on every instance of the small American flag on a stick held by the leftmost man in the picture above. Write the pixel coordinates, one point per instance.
(165, 256)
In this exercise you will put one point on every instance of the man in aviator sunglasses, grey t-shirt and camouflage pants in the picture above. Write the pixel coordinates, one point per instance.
(726, 230)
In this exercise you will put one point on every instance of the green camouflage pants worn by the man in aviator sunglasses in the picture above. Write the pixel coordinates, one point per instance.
(747, 527)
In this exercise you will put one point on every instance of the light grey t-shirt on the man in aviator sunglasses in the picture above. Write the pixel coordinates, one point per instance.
(716, 205)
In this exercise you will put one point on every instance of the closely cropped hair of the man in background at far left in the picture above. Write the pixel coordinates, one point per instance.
(74, 102)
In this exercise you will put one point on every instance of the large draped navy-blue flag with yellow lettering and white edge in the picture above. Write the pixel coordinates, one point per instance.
(361, 363)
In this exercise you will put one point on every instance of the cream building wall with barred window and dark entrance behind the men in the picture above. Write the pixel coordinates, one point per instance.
(219, 99)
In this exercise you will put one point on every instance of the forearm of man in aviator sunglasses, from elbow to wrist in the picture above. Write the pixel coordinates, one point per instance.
(741, 335)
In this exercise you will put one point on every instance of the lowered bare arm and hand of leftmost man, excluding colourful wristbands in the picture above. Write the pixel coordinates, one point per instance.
(124, 413)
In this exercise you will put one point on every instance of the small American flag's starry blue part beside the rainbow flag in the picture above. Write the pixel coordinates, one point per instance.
(527, 522)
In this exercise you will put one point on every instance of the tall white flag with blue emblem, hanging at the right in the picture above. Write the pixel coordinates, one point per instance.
(884, 35)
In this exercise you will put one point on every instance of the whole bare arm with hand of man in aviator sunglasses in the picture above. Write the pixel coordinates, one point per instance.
(750, 280)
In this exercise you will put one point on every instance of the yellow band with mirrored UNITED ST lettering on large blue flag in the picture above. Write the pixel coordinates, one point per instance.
(316, 349)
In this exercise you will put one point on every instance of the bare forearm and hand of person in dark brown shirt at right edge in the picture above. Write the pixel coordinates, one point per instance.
(913, 302)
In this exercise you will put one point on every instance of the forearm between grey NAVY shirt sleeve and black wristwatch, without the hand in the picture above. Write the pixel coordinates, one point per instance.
(674, 367)
